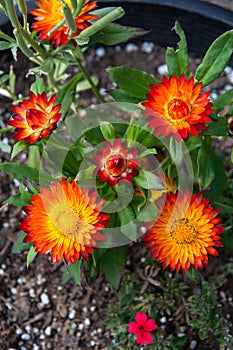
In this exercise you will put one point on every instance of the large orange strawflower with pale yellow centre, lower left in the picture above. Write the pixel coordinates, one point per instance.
(65, 221)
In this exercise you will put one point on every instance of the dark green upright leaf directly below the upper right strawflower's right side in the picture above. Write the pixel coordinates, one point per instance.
(205, 163)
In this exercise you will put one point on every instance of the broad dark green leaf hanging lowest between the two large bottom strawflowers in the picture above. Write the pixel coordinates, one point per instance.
(112, 263)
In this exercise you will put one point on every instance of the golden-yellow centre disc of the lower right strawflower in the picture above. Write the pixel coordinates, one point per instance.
(182, 231)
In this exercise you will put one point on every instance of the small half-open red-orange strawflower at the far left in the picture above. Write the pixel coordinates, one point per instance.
(35, 118)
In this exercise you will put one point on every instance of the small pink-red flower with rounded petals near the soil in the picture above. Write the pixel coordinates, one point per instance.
(142, 328)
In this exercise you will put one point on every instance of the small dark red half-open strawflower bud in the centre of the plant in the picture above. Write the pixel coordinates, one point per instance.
(116, 162)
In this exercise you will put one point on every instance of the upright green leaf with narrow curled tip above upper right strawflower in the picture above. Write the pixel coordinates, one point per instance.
(177, 60)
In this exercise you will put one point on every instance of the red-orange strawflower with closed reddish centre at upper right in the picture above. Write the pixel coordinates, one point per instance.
(176, 107)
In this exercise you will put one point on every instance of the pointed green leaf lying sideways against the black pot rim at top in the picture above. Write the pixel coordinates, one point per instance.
(114, 34)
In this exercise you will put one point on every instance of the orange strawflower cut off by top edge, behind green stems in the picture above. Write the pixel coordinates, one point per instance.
(49, 14)
